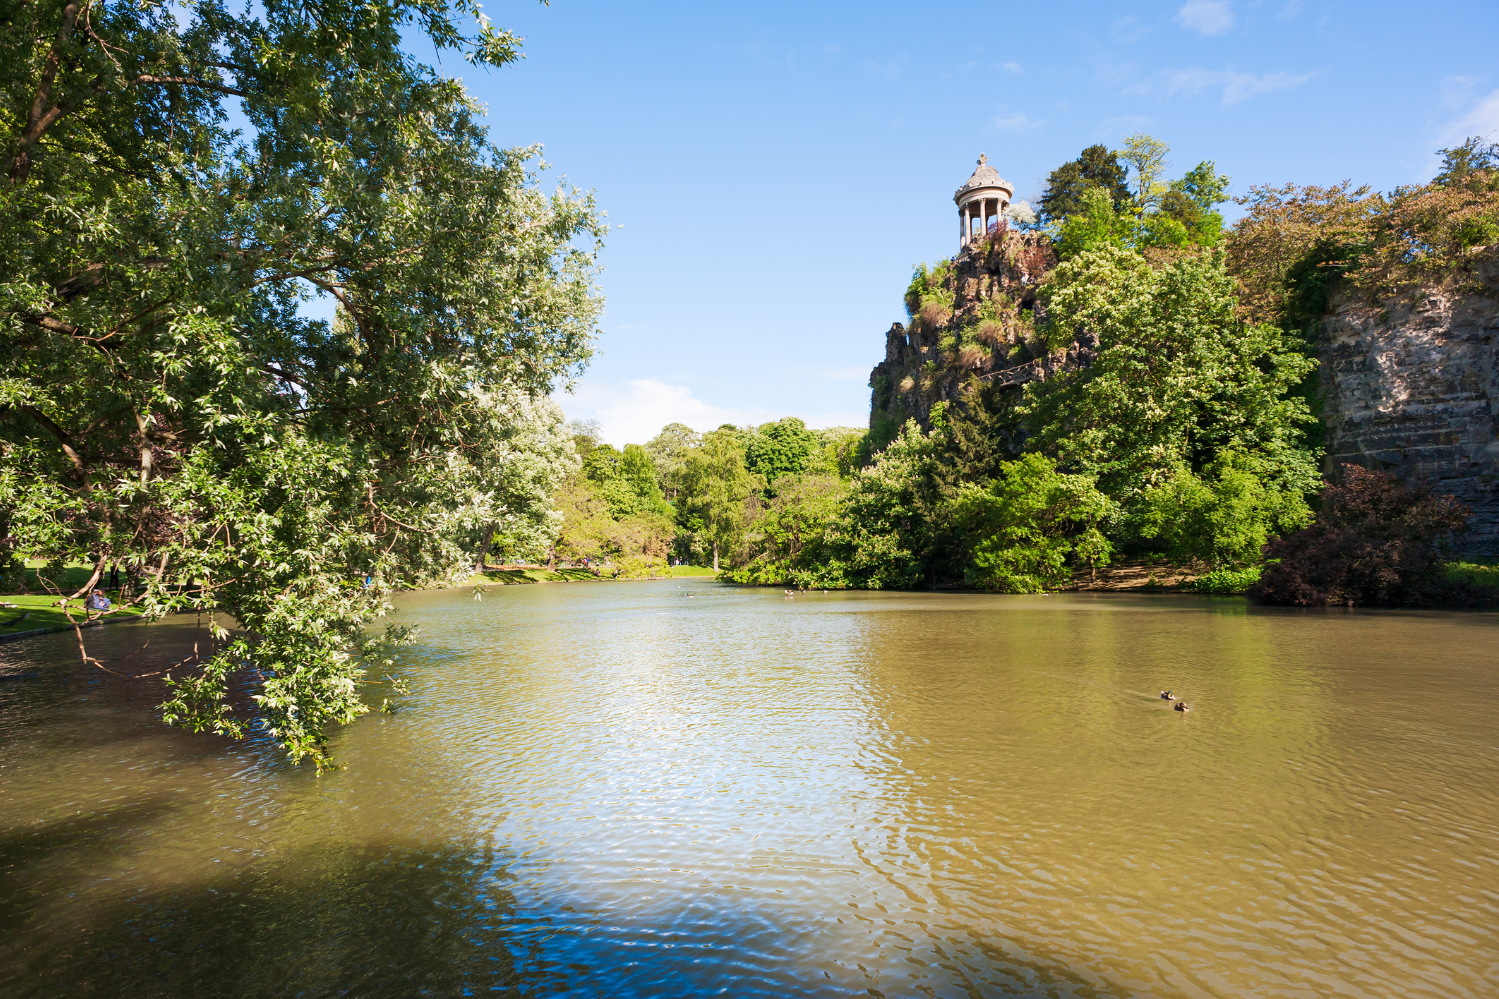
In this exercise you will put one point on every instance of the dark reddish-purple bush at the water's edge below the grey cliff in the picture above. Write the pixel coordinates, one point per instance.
(1374, 544)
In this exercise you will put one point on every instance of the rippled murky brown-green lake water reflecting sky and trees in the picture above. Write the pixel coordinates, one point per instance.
(620, 791)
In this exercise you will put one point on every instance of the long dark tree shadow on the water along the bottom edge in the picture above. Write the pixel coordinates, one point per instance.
(395, 922)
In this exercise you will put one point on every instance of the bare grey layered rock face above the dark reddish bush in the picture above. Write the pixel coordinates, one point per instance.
(1411, 386)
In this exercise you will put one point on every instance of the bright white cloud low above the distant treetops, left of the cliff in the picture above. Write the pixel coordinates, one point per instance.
(635, 412)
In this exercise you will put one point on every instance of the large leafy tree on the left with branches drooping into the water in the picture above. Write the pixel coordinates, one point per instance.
(166, 403)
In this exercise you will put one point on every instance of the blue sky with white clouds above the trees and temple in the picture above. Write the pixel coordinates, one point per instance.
(777, 169)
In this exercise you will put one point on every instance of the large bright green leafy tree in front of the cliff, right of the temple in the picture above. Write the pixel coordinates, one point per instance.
(1177, 379)
